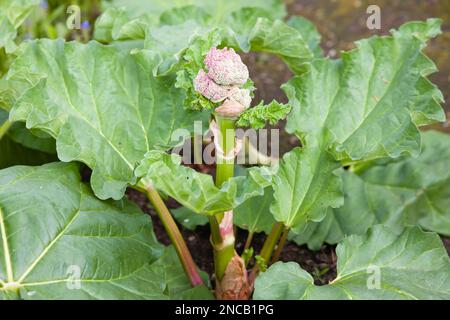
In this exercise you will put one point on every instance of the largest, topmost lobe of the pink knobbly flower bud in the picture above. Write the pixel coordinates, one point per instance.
(225, 67)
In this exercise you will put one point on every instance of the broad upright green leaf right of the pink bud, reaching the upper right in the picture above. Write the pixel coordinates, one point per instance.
(361, 106)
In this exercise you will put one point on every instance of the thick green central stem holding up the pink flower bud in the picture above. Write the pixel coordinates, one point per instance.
(222, 237)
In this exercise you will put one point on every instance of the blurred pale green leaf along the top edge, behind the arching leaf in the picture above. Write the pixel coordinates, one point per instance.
(123, 22)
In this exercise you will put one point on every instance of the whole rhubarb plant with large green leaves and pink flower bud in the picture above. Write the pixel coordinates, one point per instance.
(364, 176)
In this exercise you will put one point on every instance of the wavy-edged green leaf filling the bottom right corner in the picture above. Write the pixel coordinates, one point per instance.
(412, 265)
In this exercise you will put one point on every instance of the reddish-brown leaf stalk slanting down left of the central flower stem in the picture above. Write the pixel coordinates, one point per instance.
(175, 236)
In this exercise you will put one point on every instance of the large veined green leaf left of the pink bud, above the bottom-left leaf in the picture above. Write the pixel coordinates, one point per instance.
(100, 105)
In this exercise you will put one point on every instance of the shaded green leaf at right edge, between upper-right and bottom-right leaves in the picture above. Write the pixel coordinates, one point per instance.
(412, 191)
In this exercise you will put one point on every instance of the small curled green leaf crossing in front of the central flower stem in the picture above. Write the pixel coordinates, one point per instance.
(197, 191)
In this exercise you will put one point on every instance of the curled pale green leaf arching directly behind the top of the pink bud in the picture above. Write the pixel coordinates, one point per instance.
(246, 30)
